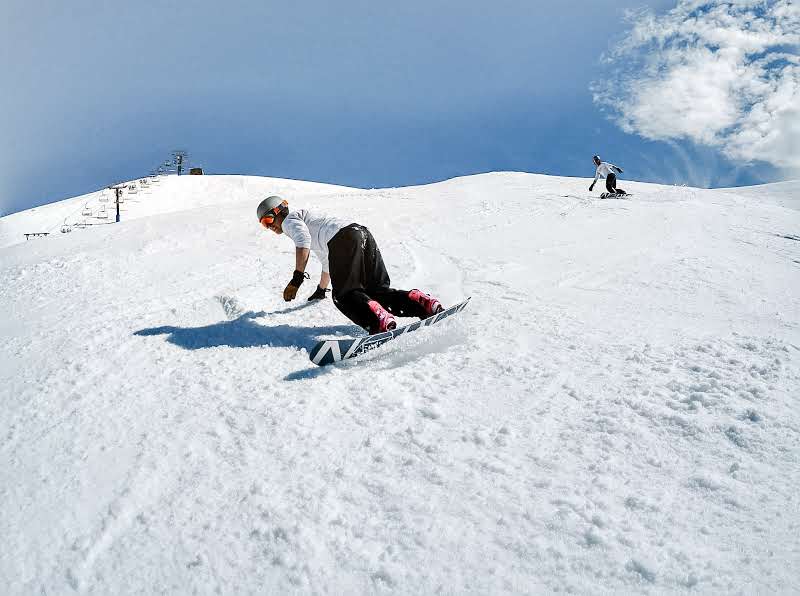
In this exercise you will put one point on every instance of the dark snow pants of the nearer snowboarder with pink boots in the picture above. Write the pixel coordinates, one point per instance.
(358, 275)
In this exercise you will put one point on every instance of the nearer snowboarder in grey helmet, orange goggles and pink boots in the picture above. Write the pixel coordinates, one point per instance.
(351, 262)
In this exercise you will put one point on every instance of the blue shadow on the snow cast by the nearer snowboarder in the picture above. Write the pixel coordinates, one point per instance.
(244, 332)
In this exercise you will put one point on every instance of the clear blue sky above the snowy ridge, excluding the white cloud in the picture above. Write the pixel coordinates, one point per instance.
(357, 93)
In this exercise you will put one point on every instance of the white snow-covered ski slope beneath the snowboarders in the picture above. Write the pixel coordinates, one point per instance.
(615, 412)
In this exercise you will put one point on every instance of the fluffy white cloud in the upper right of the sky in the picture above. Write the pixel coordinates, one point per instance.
(721, 74)
